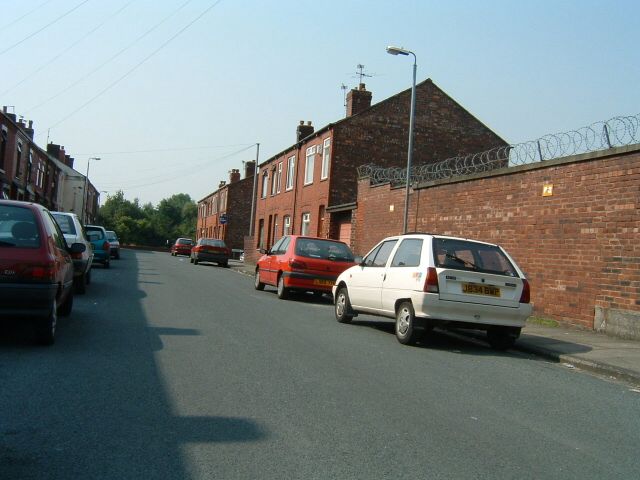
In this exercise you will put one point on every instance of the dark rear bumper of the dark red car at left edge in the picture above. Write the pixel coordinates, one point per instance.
(26, 300)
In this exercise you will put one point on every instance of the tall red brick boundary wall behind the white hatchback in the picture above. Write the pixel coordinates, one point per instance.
(579, 247)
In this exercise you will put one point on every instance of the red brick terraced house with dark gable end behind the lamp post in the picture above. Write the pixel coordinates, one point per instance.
(310, 187)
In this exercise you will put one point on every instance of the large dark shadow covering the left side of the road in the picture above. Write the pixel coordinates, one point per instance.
(96, 405)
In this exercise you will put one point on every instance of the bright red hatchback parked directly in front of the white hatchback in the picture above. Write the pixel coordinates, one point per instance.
(302, 263)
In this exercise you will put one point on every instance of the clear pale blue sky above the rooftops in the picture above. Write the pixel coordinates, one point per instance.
(248, 71)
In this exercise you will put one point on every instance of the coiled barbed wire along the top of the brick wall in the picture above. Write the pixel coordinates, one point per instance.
(616, 132)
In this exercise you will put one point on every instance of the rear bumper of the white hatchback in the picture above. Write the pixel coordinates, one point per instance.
(430, 306)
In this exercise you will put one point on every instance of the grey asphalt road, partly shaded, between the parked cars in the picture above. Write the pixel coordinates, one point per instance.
(168, 370)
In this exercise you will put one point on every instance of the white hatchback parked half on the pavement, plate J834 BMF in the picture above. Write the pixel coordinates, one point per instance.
(425, 280)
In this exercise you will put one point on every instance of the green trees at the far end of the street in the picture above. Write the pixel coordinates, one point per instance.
(174, 217)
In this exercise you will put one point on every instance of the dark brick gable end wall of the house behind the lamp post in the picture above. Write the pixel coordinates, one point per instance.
(379, 135)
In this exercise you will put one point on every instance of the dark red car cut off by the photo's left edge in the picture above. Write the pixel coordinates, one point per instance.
(36, 268)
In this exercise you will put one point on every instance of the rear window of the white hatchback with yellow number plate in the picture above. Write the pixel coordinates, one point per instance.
(464, 255)
